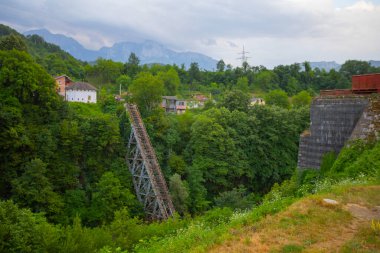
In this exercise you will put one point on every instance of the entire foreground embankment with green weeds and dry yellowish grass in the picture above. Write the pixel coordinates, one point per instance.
(308, 224)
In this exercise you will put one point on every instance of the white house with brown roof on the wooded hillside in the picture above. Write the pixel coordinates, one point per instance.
(81, 92)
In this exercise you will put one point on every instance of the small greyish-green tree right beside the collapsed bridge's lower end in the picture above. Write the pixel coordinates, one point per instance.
(179, 193)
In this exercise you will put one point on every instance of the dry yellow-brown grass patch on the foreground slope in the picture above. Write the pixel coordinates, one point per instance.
(311, 225)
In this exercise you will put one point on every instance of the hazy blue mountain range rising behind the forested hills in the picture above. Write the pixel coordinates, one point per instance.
(148, 51)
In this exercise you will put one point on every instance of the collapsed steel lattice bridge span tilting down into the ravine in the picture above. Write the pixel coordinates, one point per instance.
(148, 180)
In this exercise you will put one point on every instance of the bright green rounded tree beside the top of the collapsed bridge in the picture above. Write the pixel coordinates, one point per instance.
(147, 91)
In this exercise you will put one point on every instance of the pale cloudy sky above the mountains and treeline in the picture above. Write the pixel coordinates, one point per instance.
(273, 32)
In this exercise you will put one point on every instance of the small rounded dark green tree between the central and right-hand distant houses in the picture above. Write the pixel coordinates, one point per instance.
(236, 100)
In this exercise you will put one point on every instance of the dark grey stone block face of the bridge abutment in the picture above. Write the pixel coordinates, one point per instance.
(333, 120)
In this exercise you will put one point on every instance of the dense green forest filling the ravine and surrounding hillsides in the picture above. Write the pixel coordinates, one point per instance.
(63, 178)
